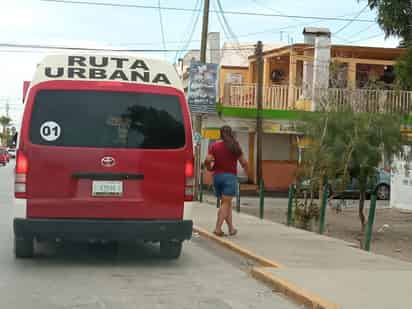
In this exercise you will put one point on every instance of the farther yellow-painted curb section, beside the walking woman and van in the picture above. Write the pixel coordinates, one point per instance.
(236, 248)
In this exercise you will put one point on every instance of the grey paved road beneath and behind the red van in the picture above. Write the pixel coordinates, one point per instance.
(80, 276)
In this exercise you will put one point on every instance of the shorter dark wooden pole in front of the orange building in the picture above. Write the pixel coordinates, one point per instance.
(259, 97)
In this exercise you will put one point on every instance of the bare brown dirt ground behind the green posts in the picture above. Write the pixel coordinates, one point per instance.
(392, 234)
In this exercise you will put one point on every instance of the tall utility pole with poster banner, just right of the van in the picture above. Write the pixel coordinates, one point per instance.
(198, 120)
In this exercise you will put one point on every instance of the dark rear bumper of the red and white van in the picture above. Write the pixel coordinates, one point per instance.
(109, 230)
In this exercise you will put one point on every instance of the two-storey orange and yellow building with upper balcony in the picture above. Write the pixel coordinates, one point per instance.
(299, 77)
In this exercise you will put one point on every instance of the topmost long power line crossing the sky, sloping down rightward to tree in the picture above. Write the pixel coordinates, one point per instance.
(212, 11)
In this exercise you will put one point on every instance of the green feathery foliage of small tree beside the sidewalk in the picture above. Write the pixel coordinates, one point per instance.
(345, 144)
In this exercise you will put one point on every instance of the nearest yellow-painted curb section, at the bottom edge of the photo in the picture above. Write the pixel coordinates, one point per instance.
(299, 295)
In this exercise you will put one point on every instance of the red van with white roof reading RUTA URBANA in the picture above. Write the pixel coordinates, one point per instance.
(105, 154)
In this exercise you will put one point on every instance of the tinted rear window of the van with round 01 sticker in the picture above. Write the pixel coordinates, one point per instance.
(105, 119)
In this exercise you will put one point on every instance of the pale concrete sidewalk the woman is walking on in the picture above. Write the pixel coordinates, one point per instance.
(327, 267)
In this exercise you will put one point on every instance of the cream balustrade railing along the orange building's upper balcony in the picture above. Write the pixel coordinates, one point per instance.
(285, 98)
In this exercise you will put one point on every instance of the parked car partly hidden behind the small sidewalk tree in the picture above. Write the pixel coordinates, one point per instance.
(382, 187)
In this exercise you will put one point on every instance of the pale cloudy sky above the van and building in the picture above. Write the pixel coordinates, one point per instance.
(78, 25)
